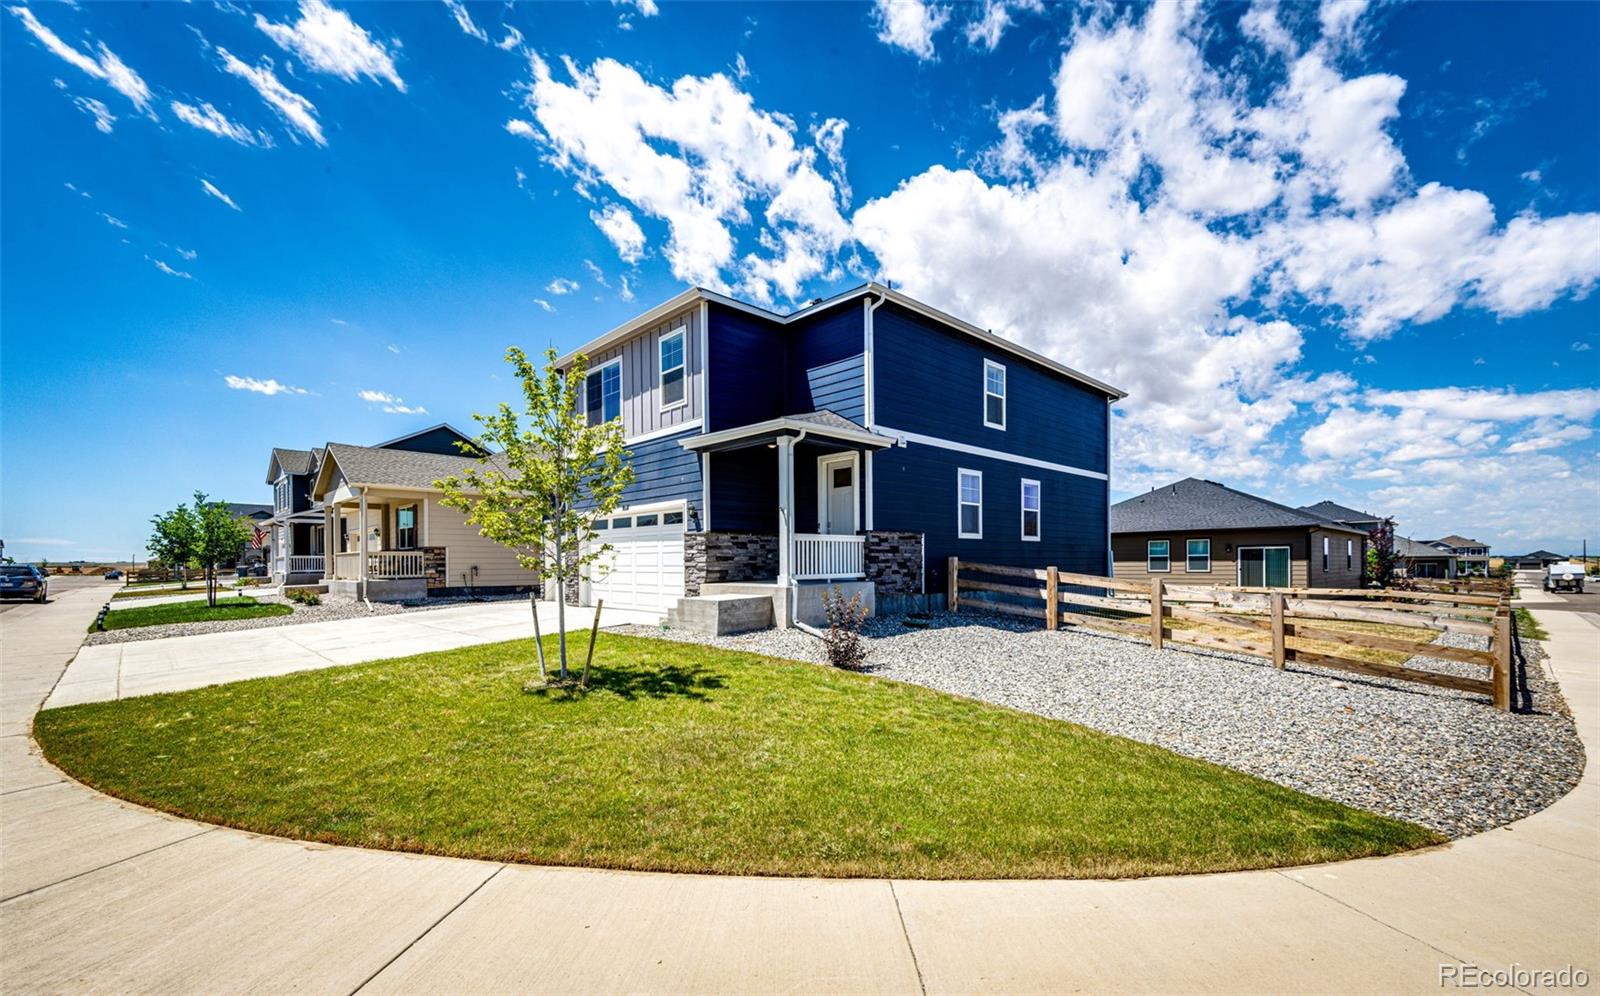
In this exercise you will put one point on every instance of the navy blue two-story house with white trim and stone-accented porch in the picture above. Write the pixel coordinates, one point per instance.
(860, 441)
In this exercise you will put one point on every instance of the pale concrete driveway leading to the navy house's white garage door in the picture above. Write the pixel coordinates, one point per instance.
(191, 662)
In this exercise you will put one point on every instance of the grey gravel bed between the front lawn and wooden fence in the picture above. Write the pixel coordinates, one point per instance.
(1434, 757)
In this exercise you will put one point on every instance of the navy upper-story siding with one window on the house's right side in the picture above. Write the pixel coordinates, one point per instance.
(930, 380)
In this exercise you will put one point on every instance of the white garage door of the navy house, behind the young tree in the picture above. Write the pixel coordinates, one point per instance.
(646, 561)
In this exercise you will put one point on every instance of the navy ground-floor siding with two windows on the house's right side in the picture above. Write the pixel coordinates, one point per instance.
(916, 491)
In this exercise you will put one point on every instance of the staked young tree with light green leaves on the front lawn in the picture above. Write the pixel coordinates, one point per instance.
(554, 475)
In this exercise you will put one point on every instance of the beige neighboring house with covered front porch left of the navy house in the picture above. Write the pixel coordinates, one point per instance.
(391, 539)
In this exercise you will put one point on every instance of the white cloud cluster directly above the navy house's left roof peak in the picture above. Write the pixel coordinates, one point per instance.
(694, 156)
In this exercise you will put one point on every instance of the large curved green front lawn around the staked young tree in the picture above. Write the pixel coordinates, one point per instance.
(692, 760)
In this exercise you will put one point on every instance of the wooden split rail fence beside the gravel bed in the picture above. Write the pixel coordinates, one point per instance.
(1260, 622)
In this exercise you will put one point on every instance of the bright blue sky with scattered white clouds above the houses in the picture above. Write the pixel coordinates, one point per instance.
(1332, 252)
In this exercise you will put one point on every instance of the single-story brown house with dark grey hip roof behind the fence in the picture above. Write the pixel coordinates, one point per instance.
(1204, 532)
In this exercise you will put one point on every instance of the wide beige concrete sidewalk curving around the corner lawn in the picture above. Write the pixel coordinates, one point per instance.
(100, 896)
